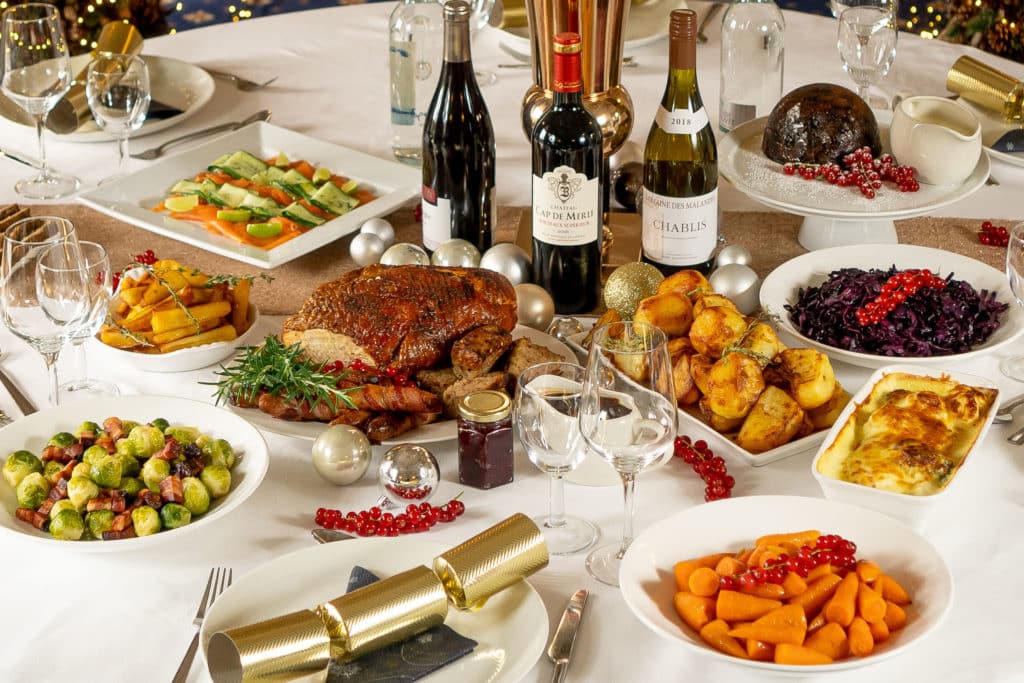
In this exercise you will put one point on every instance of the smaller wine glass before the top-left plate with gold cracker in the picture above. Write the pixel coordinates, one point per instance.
(118, 90)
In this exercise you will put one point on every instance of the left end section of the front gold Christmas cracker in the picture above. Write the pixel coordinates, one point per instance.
(278, 650)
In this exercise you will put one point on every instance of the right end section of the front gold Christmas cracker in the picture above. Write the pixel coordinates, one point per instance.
(491, 562)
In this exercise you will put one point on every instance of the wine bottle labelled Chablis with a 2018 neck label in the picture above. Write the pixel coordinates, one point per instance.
(680, 169)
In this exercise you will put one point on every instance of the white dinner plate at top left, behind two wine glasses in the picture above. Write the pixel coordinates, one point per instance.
(173, 82)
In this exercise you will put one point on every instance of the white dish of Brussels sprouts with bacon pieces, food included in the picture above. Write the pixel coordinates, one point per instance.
(125, 473)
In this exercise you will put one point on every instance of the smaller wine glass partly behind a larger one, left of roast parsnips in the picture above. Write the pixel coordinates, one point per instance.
(98, 272)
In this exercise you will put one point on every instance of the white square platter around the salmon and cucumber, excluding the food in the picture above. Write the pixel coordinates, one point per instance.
(132, 198)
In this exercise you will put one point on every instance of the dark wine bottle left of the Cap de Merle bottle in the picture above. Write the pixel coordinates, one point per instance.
(458, 147)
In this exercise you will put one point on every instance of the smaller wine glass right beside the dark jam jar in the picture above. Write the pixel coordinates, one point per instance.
(547, 416)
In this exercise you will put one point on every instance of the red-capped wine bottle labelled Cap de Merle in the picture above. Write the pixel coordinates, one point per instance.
(569, 180)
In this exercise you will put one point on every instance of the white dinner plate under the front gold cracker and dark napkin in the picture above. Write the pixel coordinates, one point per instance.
(511, 629)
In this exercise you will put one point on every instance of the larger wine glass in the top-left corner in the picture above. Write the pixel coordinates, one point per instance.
(36, 76)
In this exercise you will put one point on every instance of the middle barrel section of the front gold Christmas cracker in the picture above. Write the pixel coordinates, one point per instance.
(387, 612)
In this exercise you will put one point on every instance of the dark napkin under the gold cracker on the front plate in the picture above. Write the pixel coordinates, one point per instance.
(404, 662)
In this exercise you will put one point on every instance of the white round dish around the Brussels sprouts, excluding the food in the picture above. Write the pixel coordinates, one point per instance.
(32, 433)
